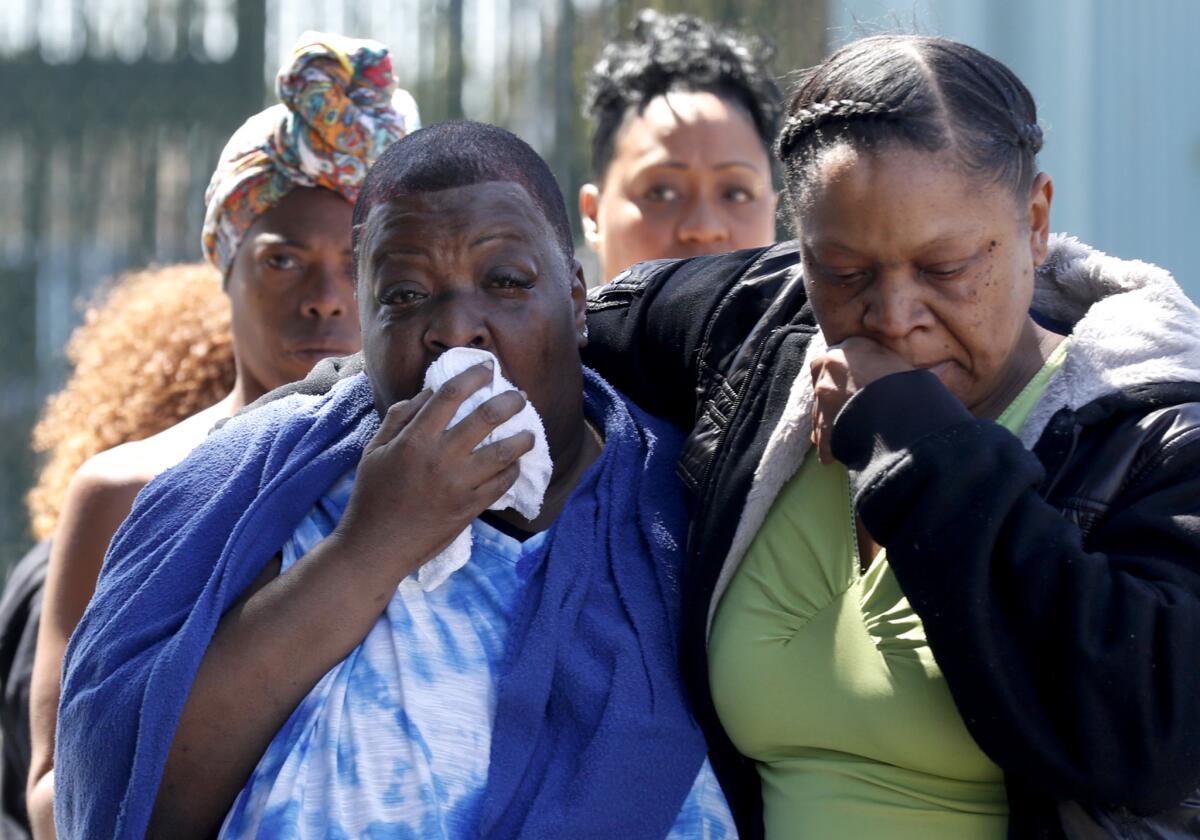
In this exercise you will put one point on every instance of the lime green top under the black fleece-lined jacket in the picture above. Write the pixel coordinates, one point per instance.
(823, 675)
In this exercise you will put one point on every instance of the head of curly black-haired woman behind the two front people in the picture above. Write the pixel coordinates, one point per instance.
(683, 117)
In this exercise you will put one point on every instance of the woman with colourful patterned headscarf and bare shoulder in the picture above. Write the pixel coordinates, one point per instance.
(278, 229)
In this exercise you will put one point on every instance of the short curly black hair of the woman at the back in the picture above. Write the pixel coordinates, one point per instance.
(679, 52)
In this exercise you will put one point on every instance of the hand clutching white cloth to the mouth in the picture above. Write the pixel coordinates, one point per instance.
(421, 484)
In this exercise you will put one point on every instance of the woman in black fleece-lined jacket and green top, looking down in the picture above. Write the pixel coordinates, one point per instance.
(945, 568)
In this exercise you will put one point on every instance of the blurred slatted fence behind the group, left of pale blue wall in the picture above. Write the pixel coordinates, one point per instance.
(117, 111)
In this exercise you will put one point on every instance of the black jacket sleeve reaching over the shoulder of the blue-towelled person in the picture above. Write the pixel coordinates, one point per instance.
(649, 327)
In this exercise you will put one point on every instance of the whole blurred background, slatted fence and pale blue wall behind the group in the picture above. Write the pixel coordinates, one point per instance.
(118, 110)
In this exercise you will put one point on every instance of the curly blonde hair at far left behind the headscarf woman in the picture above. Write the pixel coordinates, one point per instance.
(155, 349)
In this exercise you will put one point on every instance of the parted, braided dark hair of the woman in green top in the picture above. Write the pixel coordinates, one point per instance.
(925, 93)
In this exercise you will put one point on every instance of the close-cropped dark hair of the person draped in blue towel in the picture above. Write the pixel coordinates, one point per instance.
(460, 154)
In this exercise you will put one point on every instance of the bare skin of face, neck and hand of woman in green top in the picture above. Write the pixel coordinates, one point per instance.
(911, 263)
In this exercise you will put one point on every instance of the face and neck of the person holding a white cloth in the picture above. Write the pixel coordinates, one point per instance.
(479, 267)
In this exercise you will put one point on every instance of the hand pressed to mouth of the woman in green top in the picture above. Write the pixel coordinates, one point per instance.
(839, 375)
